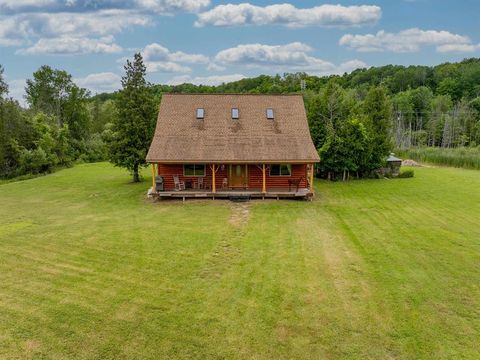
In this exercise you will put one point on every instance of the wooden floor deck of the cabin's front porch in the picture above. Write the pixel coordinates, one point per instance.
(277, 193)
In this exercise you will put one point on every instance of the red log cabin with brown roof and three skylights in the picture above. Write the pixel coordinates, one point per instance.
(224, 145)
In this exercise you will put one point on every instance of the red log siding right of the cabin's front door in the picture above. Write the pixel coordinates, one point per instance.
(255, 177)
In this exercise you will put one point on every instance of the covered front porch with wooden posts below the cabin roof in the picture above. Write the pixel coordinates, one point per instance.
(232, 180)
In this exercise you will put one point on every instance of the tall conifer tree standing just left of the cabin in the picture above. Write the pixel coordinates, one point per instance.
(132, 129)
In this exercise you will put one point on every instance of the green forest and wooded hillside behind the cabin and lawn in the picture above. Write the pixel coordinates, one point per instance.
(355, 119)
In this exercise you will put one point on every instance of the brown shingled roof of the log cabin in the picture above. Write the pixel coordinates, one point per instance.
(181, 137)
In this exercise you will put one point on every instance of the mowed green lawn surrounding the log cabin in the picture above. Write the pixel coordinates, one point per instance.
(380, 269)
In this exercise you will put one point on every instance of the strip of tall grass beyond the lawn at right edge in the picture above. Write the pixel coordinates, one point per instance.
(465, 157)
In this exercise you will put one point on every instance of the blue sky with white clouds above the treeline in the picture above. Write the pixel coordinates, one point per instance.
(208, 41)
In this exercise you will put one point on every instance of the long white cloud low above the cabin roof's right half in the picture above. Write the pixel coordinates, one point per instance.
(290, 57)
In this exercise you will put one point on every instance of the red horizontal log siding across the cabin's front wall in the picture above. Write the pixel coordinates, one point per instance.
(254, 175)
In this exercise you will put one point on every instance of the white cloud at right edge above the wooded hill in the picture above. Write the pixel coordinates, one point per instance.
(409, 40)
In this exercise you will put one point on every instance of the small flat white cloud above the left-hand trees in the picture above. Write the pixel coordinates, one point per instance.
(69, 45)
